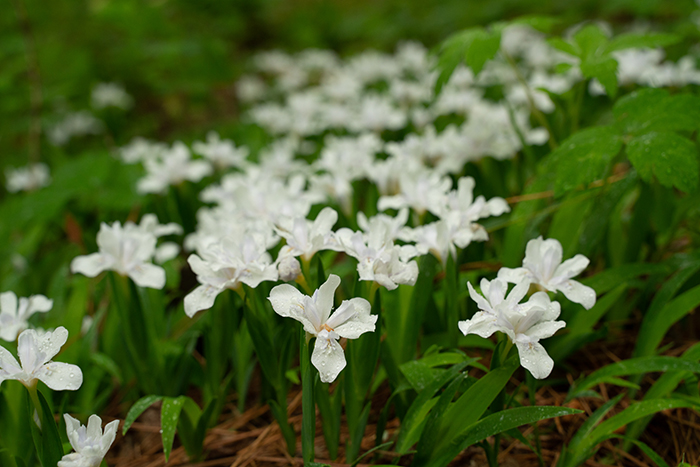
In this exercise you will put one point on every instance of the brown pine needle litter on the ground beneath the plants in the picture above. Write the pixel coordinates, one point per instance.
(253, 438)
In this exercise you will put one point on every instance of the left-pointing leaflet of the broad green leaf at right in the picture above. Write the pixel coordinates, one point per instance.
(582, 158)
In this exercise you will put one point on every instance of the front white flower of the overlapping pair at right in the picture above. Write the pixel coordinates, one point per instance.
(525, 324)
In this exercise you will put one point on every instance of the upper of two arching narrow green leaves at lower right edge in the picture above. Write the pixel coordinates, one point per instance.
(634, 366)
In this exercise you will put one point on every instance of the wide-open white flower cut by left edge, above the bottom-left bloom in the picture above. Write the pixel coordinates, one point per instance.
(35, 352)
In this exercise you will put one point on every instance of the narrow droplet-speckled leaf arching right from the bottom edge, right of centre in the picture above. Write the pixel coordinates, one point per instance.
(496, 423)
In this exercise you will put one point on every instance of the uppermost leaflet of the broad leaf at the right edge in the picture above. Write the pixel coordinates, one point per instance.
(650, 109)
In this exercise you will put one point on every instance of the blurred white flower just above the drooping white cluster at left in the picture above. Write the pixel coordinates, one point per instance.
(172, 167)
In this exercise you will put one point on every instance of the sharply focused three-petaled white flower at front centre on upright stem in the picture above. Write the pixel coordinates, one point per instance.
(350, 320)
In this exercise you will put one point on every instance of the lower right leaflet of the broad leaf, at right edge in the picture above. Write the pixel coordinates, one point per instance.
(671, 158)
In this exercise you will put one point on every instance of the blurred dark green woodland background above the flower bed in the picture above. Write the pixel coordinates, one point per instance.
(179, 58)
